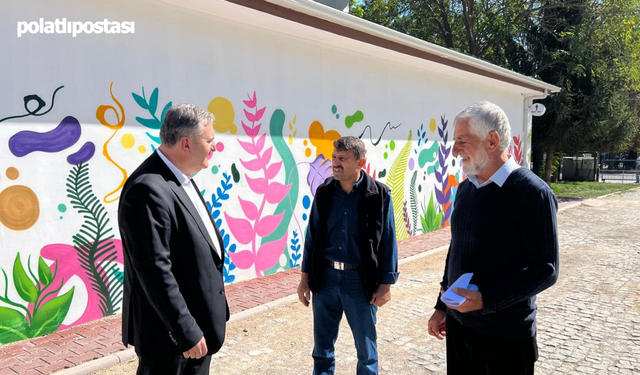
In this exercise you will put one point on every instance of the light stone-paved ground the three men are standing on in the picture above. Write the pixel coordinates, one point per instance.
(588, 322)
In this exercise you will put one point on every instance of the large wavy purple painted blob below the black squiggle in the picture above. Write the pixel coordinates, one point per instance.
(62, 137)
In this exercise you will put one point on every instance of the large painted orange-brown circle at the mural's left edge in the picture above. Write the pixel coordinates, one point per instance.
(19, 207)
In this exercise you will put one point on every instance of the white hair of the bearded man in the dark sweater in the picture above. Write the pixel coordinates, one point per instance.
(485, 117)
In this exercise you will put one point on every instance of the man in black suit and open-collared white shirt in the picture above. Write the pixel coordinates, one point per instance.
(174, 307)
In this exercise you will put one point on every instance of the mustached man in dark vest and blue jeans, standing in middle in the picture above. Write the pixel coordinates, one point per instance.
(350, 257)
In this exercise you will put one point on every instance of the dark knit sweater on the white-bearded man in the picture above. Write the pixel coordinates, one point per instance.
(507, 237)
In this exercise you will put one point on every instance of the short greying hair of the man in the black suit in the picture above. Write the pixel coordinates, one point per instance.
(183, 120)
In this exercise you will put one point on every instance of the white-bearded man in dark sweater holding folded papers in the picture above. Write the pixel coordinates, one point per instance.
(503, 230)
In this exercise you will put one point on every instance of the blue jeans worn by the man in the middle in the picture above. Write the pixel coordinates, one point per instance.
(342, 291)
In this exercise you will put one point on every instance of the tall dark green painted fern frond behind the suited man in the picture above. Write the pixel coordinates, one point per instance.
(96, 251)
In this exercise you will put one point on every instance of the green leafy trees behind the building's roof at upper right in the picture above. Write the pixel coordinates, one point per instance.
(589, 48)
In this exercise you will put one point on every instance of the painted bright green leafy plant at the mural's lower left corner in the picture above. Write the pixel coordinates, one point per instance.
(43, 314)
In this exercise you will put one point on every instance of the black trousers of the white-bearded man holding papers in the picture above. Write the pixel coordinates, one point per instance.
(472, 352)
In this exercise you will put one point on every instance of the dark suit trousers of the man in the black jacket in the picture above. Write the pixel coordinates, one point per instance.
(172, 365)
